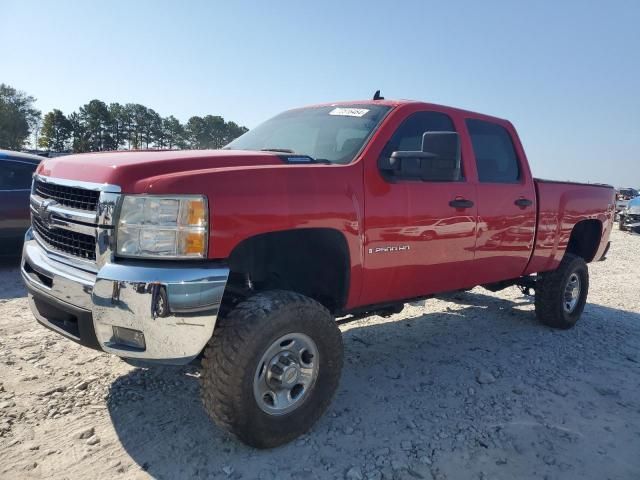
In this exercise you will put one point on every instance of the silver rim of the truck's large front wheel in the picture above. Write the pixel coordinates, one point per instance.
(286, 374)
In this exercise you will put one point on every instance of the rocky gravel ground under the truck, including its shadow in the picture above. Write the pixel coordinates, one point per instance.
(465, 386)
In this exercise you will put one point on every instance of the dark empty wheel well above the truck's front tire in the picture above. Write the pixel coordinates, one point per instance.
(313, 262)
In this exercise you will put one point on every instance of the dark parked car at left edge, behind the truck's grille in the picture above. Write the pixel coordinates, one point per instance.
(16, 172)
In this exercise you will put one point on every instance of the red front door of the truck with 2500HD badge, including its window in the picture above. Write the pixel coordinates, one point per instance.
(420, 235)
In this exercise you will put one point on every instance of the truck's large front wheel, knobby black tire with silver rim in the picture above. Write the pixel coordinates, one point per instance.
(271, 368)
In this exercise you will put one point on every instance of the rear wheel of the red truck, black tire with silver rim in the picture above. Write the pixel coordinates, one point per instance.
(562, 293)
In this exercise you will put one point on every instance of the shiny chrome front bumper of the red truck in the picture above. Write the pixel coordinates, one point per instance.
(173, 305)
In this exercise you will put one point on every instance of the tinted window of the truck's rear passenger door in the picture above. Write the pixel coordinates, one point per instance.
(496, 157)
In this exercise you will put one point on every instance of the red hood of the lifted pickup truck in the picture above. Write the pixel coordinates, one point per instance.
(131, 171)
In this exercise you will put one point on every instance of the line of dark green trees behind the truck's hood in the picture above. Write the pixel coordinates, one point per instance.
(97, 126)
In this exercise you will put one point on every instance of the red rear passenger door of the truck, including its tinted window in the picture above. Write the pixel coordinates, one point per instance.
(506, 202)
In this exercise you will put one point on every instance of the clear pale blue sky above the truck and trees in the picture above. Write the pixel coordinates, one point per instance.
(567, 74)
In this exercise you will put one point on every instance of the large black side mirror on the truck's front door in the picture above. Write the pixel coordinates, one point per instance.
(439, 160)
